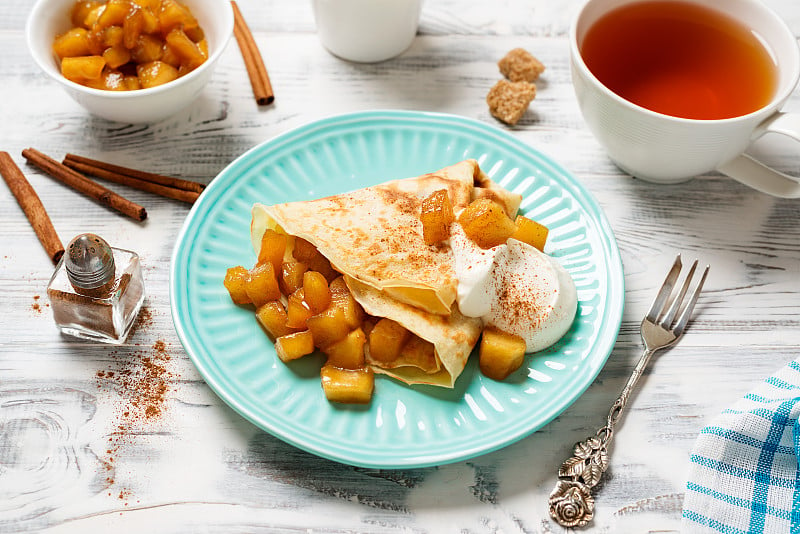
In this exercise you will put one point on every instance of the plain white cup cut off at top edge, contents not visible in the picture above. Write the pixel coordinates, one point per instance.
(367, 31)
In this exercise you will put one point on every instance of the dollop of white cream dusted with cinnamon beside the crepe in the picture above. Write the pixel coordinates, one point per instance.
(515, 288)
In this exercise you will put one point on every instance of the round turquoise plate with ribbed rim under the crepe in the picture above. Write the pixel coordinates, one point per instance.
(403, 426)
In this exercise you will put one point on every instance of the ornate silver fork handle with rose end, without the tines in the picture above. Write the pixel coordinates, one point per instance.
(571, 502)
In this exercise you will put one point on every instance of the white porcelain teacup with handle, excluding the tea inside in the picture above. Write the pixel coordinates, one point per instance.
(665, 149)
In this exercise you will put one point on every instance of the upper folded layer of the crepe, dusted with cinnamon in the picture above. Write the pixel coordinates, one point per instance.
(375, 234)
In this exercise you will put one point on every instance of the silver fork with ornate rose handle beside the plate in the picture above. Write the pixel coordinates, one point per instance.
(571, 501)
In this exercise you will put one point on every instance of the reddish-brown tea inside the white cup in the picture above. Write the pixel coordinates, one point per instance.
(681, 59)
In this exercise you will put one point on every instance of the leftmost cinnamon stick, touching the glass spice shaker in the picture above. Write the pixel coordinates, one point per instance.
(32, 206)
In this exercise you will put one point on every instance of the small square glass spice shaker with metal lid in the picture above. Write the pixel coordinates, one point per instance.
(96, 290)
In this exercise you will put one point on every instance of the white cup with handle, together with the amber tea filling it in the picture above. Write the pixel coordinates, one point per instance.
(677, 88)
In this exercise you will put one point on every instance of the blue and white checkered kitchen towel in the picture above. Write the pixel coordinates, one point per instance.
(744, 474)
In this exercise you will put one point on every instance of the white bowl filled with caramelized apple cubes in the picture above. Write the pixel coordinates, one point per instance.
(133, 61)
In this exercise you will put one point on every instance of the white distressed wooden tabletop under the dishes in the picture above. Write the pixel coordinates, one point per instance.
(76, 454)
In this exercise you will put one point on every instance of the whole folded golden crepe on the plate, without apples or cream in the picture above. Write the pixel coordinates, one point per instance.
(373, 236)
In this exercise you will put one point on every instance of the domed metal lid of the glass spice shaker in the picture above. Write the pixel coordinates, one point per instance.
(89, 262)
